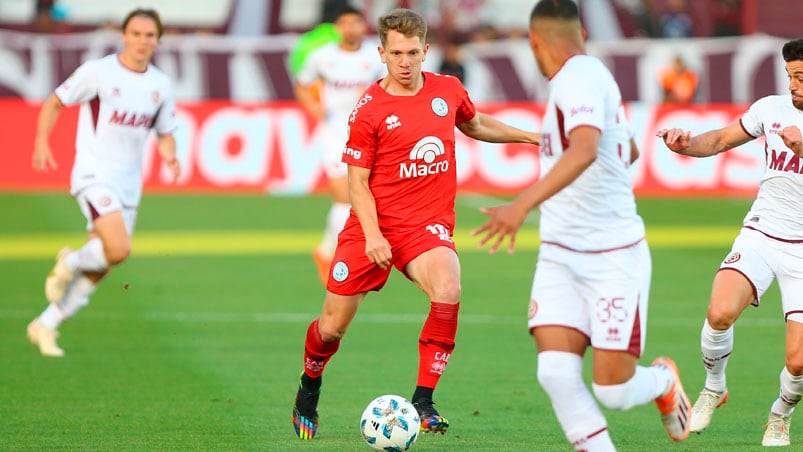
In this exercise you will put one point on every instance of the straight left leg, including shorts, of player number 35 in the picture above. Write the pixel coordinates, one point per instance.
(558, 320)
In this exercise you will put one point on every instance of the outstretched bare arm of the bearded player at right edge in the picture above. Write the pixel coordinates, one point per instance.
(706, 144)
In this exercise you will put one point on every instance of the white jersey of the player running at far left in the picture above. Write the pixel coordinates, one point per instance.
(119, 107)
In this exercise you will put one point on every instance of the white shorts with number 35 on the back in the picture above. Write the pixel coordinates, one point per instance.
(602, 295)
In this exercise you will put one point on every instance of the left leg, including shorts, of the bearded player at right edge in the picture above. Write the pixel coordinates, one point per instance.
(743, 277)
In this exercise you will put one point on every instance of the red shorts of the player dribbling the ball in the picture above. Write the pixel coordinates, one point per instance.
(353, 273)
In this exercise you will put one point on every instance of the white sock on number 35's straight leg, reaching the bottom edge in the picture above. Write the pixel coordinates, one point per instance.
(560, 374)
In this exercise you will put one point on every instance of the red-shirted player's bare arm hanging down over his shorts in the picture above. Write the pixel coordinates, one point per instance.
(377, 248)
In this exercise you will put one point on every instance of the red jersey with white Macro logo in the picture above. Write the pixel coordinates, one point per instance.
(408, 144)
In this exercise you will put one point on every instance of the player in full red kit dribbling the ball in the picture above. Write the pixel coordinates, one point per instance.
(402, 182)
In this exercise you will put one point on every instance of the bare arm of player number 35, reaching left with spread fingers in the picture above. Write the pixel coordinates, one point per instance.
(506, 220)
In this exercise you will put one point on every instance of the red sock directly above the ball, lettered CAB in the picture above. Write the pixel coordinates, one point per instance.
(436, 342)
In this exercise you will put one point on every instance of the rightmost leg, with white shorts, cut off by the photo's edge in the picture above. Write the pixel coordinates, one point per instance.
(791, 377)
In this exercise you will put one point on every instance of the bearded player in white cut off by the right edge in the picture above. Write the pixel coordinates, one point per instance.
(769, 246)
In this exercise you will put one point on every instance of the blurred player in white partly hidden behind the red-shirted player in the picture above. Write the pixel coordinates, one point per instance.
(343, 69)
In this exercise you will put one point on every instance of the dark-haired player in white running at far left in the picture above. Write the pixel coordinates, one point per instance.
(123, 97)
